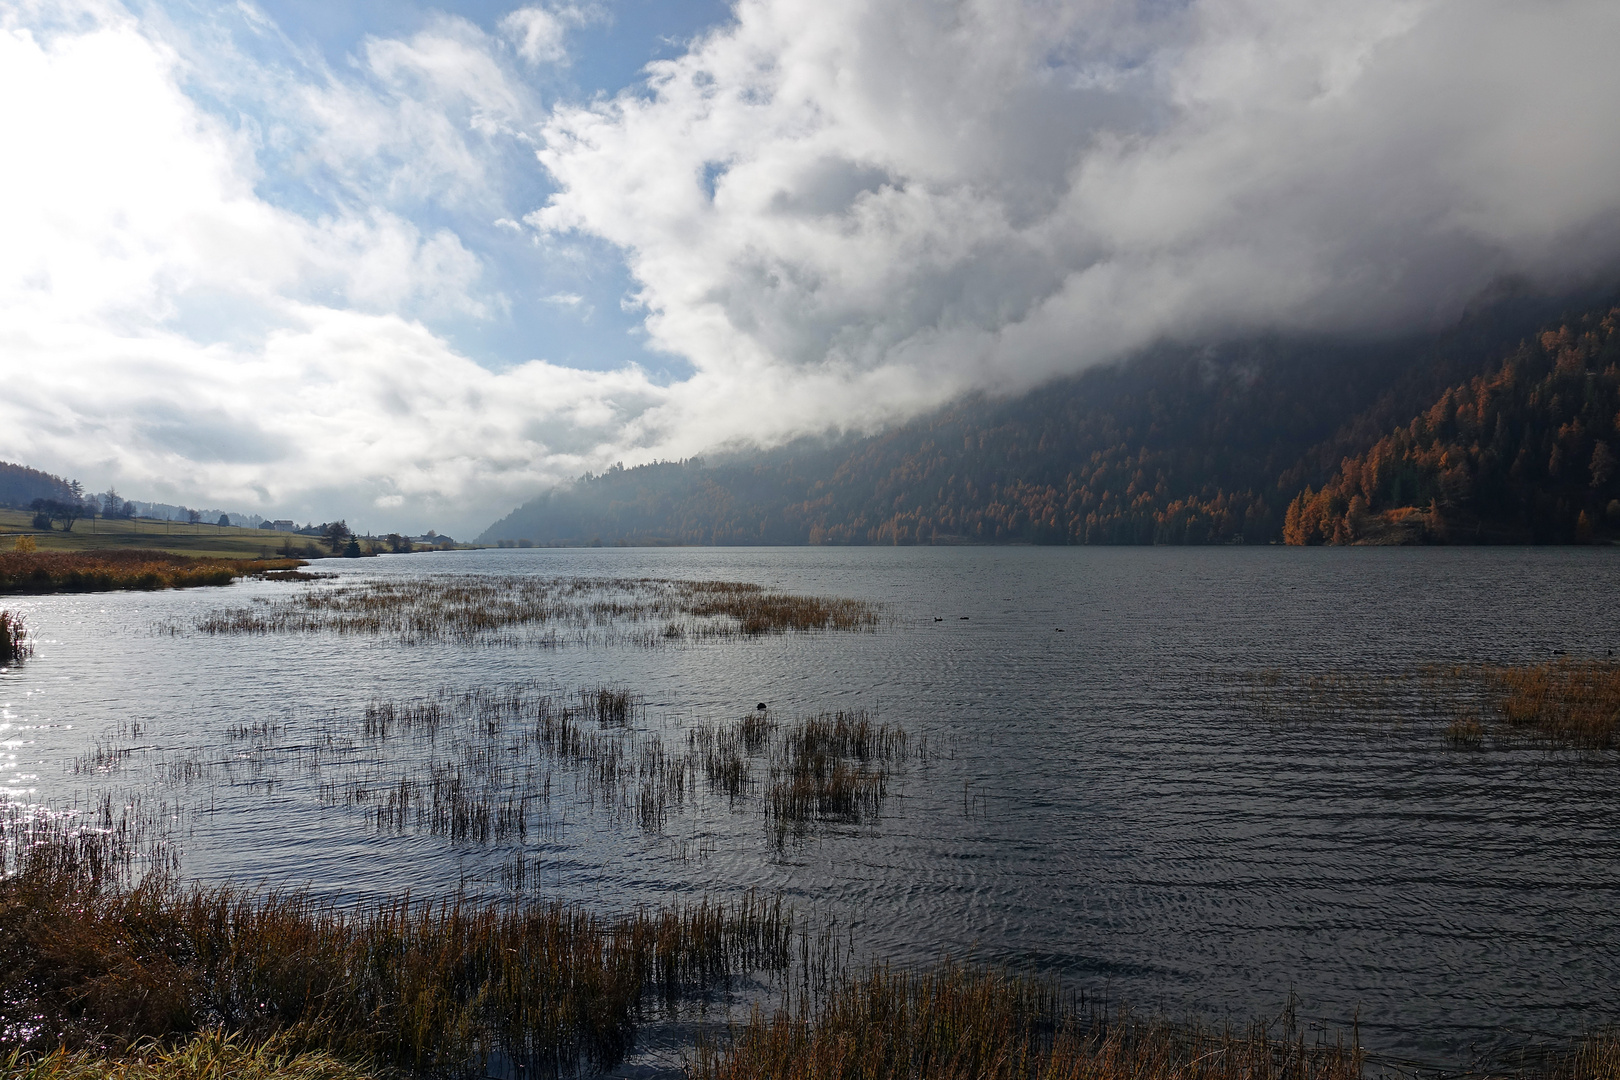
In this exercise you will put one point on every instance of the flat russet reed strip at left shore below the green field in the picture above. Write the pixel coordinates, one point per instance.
(124, 569)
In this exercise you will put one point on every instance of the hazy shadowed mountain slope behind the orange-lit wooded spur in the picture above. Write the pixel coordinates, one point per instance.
(1180, 446)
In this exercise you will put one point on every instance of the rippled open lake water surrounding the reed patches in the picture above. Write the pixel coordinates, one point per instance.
(1098, 804)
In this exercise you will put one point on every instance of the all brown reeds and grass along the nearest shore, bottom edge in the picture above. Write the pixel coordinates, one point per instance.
(108, 976)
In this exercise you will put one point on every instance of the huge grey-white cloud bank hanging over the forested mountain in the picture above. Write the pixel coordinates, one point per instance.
(939, 197)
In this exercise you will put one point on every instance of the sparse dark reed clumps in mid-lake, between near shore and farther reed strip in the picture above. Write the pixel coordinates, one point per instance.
(485, 767)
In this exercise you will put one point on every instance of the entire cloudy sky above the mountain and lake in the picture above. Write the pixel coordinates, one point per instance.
(411, 265)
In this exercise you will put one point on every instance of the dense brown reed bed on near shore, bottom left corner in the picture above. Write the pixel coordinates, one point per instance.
(438, 989)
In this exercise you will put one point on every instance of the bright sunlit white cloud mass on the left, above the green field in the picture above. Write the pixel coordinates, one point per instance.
(171, 331)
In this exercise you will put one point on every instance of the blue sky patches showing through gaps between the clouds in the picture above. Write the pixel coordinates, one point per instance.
(566, 310)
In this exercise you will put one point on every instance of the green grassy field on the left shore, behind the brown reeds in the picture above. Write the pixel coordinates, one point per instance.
(181, 538)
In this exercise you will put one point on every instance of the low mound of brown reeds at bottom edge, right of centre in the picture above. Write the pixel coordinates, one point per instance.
(958, 1023)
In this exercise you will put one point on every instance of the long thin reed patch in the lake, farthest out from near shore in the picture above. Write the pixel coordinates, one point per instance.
(519, 610)
